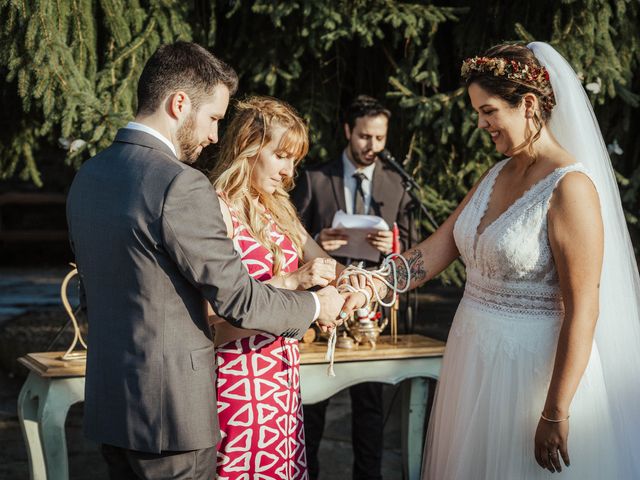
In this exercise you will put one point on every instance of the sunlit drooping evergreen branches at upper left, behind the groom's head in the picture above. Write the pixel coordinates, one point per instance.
(75, 62)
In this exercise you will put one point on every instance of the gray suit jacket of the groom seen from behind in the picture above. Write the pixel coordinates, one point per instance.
(150, 242)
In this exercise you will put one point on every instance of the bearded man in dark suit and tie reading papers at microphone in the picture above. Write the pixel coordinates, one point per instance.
(357, 183)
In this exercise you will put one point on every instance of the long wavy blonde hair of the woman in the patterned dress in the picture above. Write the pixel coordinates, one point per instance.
(249, 131)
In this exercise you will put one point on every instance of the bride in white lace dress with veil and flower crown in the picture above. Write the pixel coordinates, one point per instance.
(541, 372)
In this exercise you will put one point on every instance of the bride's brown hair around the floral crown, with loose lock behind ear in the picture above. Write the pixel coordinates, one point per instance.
(512, 91)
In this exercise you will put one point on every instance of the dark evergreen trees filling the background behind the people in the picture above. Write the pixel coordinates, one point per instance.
(73, 65)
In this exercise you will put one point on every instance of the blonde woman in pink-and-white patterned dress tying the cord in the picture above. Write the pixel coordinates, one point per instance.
(258, 378)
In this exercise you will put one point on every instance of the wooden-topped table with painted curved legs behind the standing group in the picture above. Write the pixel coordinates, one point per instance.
(53, 386)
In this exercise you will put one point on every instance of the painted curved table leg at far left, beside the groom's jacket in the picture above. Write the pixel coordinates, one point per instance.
(49, 399)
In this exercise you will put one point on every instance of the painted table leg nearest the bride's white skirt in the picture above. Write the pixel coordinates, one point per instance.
(415, 394)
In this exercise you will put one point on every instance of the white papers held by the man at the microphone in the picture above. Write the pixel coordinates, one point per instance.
(357, 227)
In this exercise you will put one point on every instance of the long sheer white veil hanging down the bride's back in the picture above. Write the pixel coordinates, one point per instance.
(574, 125)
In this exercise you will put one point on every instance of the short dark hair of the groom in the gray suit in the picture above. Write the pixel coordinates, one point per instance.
(182, 66)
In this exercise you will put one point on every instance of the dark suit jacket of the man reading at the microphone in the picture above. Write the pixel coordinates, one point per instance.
(319, 194)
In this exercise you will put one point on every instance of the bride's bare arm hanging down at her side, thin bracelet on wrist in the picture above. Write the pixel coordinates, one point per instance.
(576, 236)
